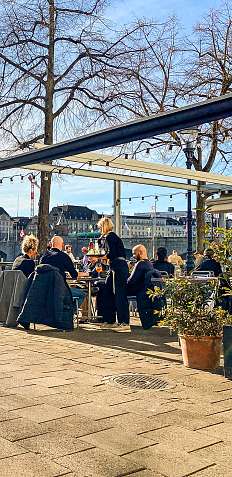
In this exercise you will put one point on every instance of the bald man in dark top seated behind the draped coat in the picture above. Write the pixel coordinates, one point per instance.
(59, 259)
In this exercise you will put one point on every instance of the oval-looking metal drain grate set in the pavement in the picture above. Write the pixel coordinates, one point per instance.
(139, 381)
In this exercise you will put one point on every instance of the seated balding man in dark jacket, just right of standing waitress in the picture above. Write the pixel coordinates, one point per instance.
(137, 285)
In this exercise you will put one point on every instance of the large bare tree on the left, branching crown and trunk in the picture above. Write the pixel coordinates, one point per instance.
(65, 69)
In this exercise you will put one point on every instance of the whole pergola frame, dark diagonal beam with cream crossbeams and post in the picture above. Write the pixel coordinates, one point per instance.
(75, 151)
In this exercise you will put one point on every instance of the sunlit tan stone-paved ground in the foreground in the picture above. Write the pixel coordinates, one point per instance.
(61, 415)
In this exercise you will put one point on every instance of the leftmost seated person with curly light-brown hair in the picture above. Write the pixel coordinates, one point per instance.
(25, 262)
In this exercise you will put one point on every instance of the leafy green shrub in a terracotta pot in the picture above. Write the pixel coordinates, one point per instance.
(191, 313)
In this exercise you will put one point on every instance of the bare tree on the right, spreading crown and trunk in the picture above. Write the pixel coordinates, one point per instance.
(201, 69)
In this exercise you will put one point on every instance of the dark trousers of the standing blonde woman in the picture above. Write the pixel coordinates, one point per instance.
(110, 301)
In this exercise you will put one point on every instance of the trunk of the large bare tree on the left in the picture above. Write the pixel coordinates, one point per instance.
(44, 200)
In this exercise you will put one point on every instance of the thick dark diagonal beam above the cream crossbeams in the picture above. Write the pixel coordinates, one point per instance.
(154, 125)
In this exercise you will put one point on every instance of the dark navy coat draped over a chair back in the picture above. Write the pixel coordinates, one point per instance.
(48, 300)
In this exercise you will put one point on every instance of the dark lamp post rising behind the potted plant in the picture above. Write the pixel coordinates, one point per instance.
(189, 153)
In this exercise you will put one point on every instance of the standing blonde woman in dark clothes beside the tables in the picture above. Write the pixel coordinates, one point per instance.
(114, 295)
